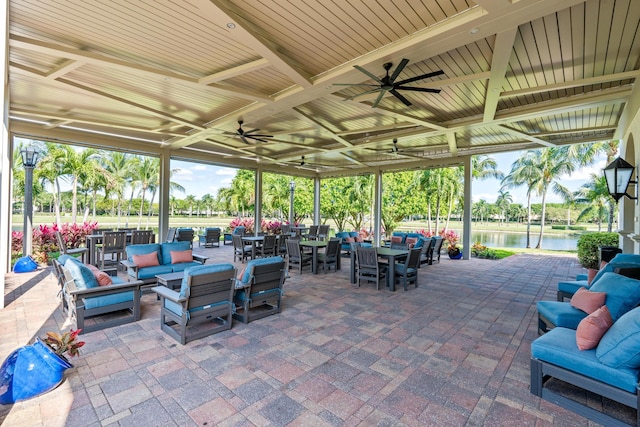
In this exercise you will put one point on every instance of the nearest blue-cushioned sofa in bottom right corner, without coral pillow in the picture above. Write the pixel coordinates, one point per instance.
(610, 370)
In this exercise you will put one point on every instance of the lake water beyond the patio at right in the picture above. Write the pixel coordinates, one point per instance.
(495, 239)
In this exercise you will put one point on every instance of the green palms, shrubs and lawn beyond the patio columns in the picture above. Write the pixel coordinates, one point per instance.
(119, 190)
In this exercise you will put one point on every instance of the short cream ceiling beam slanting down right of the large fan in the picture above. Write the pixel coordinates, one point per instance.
(501, 56)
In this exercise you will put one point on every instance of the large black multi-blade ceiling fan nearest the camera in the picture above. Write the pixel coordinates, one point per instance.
(389, 84)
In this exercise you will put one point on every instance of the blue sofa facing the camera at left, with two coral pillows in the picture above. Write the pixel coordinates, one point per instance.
(144, 262)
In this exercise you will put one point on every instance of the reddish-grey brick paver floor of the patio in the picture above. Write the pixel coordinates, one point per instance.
(455, 351)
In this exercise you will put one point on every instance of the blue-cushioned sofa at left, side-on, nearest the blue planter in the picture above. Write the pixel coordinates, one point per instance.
(83, 298)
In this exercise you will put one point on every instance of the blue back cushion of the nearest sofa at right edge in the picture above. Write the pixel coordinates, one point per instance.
(620, 345)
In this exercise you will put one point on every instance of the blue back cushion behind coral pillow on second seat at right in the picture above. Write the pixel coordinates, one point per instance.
(623, 293)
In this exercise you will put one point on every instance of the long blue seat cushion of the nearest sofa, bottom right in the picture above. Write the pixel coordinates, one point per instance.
(559, 347)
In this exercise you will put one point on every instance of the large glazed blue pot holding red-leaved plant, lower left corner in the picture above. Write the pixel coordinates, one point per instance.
(30, 371)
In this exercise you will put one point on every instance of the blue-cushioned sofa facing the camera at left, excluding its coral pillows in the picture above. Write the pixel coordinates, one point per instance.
(163, 250)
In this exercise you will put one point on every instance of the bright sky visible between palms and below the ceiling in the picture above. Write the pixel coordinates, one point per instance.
(198, 180)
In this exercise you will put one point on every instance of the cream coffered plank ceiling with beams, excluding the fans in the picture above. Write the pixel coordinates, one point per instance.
(176, 76)
